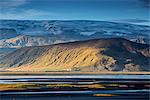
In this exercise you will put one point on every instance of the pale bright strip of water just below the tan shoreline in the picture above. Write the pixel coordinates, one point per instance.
(80, 76)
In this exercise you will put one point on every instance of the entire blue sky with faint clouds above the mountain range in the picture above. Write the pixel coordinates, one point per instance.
(108, 10)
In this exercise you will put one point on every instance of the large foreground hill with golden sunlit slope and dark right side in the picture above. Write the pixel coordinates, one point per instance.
(111, 54)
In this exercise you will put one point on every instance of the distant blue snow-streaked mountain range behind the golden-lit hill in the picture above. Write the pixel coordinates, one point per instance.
(21, 33)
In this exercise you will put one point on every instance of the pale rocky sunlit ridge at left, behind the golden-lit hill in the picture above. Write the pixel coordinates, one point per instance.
(27, 40)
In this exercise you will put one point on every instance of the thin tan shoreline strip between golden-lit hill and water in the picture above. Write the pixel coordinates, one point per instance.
(74, 73)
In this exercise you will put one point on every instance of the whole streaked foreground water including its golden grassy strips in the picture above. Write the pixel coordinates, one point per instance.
(76, 85)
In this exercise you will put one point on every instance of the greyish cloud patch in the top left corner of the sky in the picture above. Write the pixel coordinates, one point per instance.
(11, 3)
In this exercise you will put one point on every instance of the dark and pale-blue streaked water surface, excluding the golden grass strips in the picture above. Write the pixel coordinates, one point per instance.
(128, 87)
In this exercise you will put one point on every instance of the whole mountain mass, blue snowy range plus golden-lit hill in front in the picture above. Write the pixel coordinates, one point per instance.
(75, 45)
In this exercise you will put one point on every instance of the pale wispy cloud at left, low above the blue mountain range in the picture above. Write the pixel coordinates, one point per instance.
(23, 14)
